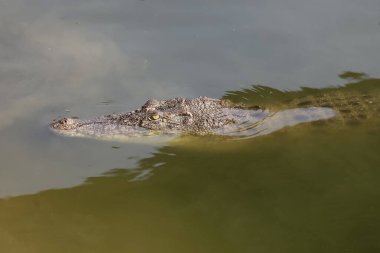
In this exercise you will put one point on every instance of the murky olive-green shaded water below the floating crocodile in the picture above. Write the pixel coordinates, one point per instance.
(309, 188)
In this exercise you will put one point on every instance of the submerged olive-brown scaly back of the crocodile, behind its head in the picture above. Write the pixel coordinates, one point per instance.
(353, 103)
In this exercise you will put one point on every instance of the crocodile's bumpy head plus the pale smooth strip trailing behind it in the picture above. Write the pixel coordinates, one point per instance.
(196, 116)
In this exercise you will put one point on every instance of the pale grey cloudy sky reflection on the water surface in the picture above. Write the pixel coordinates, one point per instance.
(66, 57)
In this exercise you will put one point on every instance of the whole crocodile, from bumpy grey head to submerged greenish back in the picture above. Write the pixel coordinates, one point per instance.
(209, 116)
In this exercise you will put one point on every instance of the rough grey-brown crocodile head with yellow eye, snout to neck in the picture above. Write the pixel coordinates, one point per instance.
(197, 116)
